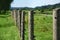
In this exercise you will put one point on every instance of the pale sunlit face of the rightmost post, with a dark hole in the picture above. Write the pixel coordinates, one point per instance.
(54, 25)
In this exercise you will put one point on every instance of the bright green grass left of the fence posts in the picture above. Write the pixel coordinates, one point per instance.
(8, 30)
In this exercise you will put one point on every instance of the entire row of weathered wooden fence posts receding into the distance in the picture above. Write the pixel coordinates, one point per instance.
(19, 17)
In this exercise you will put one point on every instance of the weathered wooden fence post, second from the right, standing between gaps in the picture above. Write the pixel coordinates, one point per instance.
(31, 25)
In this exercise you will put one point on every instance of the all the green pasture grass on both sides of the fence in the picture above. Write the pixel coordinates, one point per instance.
(42, 27)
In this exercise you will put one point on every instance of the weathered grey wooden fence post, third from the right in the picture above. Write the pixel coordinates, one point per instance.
(22, 25)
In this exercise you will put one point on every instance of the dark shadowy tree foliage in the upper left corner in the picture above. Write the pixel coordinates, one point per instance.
(5, 5)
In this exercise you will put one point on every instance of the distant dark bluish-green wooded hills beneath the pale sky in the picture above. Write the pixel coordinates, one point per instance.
(46, 7)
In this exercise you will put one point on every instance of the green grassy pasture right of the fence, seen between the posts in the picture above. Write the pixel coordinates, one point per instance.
(42, 27)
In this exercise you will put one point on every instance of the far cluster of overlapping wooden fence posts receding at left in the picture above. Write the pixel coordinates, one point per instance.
(18, 16)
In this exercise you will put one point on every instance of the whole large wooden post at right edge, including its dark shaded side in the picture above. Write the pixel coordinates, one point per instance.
(56, 24)
